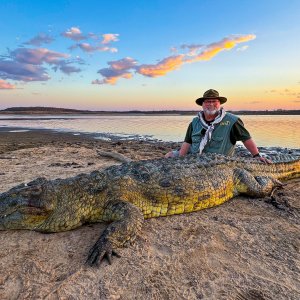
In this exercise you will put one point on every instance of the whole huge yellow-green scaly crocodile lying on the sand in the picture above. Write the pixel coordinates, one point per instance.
(126, 194)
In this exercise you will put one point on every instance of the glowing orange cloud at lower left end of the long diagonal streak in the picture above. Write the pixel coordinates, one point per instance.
(163, 67)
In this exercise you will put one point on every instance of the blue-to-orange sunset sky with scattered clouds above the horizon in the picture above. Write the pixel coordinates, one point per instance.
(149, 55)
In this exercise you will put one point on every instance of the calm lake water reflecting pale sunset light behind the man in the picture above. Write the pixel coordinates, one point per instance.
(267, 130)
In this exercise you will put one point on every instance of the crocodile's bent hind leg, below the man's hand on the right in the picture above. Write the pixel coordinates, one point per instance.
(254, 186)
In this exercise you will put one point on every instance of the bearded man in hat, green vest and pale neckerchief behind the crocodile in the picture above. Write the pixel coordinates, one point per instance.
(215, 130)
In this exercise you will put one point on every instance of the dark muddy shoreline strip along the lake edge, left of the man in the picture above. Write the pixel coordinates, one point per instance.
(19, 139)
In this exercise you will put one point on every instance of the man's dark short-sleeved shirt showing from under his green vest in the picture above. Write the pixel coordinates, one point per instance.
(237, 133)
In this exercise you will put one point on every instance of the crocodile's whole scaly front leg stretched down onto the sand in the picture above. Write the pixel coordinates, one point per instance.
(127, 222)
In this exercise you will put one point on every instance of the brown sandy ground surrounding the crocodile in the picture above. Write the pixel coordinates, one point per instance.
(244, 249)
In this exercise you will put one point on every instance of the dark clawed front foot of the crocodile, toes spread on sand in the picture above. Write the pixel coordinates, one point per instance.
(102, 249)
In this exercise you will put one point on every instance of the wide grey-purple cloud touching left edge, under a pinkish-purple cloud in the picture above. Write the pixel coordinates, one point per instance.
(21, 71)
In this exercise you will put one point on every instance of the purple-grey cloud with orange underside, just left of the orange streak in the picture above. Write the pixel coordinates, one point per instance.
(117, 69)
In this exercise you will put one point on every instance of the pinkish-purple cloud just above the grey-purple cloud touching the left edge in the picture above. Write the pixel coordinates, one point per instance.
(37, 56)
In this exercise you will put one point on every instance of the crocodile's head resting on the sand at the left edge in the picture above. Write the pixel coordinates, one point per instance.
(26, 206)
